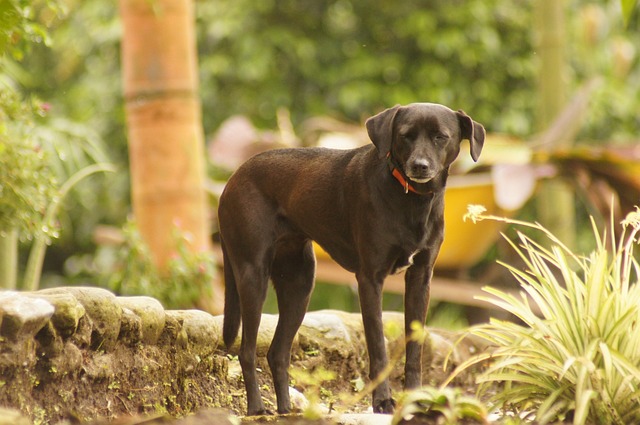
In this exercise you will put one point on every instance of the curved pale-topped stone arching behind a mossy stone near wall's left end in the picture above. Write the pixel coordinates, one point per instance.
(103, 310)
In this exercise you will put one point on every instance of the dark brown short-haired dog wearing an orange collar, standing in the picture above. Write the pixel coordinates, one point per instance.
(375, 210)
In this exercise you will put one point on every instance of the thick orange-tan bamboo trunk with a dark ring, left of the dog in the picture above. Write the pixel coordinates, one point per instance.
(166, 142)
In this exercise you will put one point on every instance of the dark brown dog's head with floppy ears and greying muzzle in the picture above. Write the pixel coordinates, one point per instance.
(424, 138)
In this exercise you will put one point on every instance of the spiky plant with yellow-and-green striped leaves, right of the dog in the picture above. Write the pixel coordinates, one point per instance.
(576, 355)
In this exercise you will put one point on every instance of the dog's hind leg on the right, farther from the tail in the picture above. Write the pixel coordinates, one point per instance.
(292, 273)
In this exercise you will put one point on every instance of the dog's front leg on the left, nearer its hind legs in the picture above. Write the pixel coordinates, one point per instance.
(370, 293)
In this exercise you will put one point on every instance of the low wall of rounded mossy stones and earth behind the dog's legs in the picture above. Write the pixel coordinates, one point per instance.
(82, 353)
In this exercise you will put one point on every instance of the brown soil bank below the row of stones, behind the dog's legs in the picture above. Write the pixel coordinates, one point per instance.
(145, 388)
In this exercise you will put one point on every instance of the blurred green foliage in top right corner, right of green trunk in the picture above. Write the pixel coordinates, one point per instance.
(600, 47)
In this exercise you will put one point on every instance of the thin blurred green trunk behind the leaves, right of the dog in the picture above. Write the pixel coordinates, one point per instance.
(555, 202)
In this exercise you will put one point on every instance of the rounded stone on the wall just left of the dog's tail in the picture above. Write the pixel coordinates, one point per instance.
(201, 328)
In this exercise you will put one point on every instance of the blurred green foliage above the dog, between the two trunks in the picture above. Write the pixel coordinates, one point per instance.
(355, 57)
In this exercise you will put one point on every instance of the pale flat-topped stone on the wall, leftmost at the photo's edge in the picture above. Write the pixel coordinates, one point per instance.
(22, 316)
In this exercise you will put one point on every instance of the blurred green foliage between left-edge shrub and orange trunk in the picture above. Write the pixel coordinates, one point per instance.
(77, 74)
